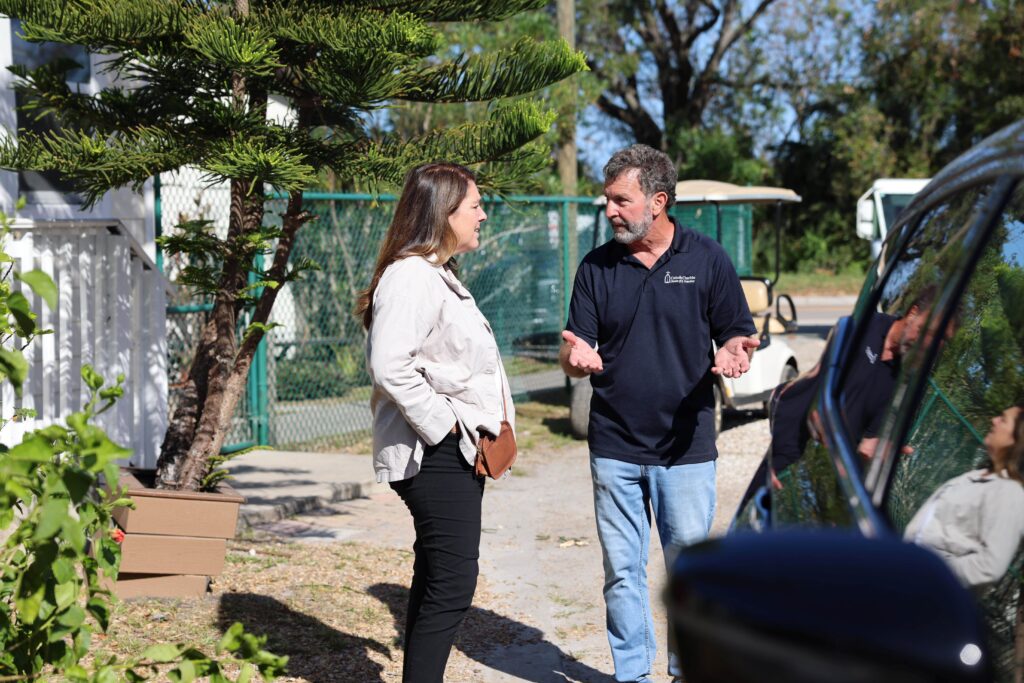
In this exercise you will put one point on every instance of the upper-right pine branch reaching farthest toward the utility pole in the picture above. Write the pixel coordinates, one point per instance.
(526, 67)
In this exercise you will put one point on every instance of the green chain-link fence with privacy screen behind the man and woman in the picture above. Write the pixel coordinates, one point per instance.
(309, 389)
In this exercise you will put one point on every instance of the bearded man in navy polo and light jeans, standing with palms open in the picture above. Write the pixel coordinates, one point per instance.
(652, 302)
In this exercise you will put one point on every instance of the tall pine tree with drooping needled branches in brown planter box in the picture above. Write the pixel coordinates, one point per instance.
(201, 75)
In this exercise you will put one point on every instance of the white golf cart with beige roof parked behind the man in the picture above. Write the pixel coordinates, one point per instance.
(775, 362)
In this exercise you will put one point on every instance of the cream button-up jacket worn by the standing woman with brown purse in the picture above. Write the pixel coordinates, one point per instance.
(434, 361)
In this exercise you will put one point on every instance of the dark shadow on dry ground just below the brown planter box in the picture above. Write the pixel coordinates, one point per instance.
(317, 653)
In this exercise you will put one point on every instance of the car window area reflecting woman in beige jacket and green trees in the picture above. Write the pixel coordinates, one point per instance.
(957, 486)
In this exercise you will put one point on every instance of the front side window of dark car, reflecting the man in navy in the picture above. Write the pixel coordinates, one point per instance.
(875, 356)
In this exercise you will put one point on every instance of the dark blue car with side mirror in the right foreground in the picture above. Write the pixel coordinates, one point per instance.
(881, 541)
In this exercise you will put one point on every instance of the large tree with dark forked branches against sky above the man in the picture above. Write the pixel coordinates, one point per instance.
(667, 75)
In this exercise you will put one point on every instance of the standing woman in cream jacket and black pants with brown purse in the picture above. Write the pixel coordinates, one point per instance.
(439, 381)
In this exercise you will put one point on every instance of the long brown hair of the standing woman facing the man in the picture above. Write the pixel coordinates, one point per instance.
(420, 228)
